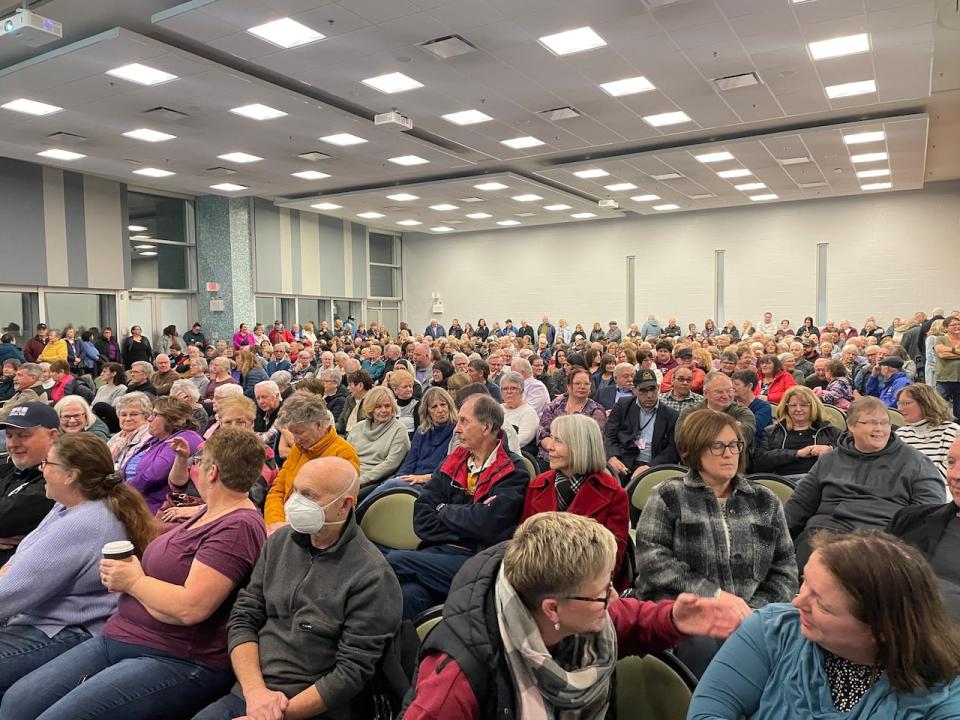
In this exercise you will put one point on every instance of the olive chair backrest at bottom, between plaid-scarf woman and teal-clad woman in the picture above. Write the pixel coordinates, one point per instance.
(653, 687)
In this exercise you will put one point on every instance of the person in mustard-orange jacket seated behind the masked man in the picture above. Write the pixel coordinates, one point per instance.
(310, 427)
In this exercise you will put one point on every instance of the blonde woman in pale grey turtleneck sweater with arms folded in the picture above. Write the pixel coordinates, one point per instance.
(381, 441)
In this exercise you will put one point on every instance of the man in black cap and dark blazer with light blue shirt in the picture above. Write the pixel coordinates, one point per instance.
(640, 430)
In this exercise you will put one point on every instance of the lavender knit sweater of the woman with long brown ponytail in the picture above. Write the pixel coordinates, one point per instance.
(54, 577)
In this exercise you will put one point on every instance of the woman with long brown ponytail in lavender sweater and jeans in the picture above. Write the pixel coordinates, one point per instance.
(50, 590)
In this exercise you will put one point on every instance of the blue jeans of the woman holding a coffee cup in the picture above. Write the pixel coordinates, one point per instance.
(103, 678)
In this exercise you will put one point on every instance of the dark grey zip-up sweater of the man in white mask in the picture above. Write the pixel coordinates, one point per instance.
(320, 617)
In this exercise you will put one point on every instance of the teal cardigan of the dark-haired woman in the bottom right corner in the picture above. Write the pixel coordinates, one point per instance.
(767, 670)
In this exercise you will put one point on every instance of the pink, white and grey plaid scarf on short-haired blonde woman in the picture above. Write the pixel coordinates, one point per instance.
(545, 690)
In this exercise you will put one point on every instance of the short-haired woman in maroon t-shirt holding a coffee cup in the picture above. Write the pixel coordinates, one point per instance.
(163, 654)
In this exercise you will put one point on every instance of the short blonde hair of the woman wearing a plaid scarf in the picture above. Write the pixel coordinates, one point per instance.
(552, 554)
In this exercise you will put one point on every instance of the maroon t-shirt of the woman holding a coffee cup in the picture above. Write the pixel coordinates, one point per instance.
(230, 545)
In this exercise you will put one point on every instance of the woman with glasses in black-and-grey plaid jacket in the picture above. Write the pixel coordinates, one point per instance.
(712, 532)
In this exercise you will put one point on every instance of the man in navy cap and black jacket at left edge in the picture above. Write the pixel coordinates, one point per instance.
(30, 430)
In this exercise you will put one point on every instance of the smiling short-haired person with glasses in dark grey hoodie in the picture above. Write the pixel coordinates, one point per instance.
(871, 475)
